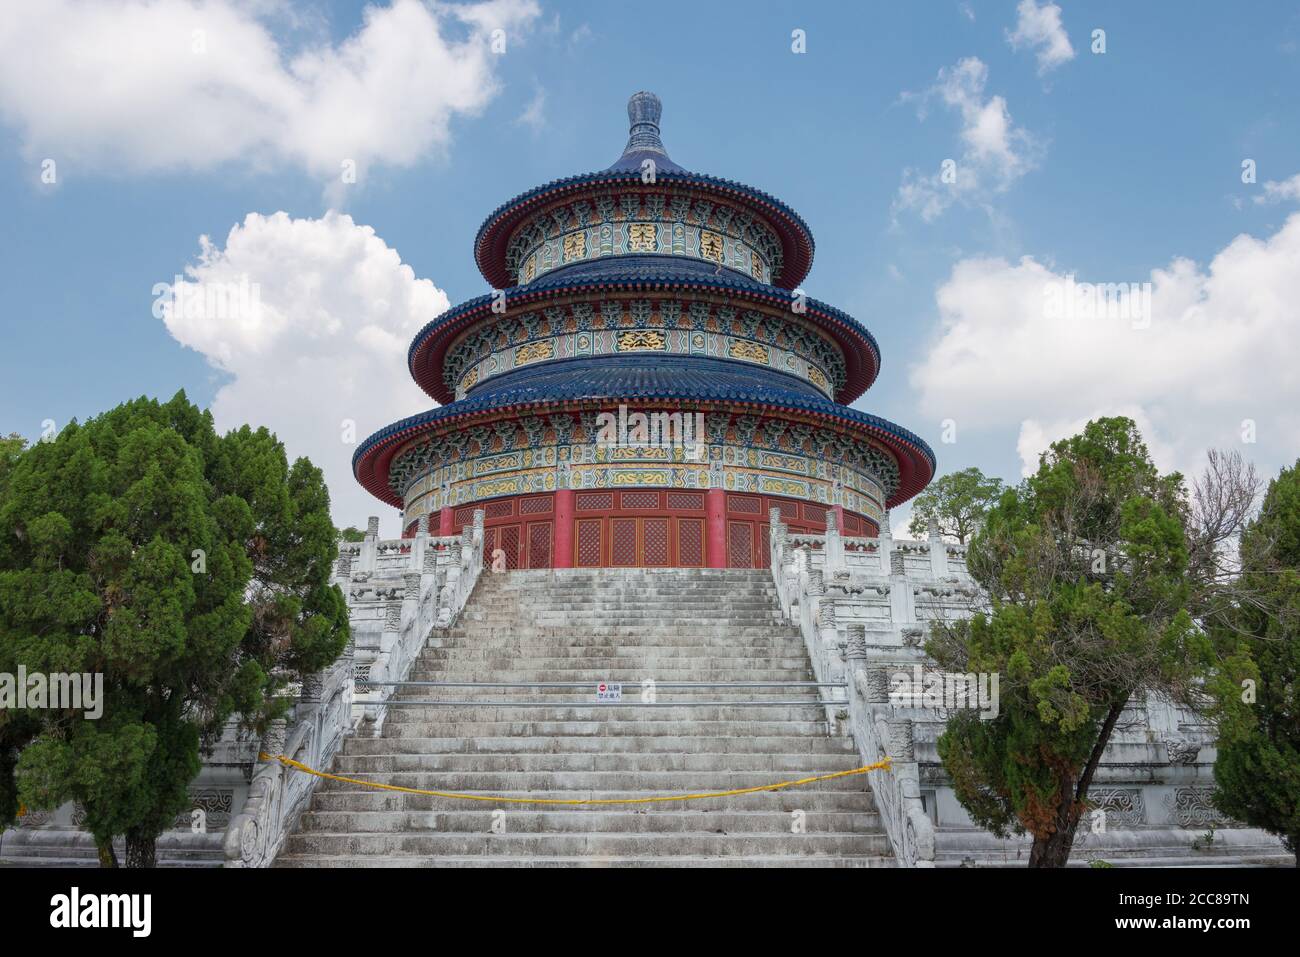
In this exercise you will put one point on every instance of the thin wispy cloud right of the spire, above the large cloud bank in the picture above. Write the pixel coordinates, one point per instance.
(994, 151)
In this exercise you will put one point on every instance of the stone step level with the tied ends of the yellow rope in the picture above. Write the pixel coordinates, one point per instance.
(722, 763)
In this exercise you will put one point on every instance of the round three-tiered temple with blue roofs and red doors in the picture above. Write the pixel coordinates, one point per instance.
(643, 291)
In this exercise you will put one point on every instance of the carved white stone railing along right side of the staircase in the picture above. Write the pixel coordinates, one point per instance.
(876, 731)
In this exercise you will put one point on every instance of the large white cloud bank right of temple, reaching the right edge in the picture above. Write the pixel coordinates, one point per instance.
(1212, 362)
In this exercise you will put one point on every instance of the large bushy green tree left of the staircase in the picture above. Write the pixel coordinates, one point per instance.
(192, 570)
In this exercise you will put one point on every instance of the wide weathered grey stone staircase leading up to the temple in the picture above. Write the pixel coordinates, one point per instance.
(592, 626)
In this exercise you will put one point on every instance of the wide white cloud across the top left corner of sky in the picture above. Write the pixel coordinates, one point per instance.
(159, 85)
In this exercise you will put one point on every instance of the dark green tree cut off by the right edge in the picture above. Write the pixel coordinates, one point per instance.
(1258, 770)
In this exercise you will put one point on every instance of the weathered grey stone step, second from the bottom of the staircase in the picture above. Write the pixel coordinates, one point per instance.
(699, 843)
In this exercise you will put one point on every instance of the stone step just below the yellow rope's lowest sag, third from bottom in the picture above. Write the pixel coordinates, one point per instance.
(587, 821)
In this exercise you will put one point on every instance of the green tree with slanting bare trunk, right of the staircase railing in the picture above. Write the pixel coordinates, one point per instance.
(1087, 608)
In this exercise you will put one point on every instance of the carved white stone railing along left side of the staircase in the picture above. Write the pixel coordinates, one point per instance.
(413, 586)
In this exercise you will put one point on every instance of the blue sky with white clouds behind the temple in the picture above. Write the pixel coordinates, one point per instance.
(1100, 166)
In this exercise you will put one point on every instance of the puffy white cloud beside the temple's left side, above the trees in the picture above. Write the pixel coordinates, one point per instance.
(323, 340)
